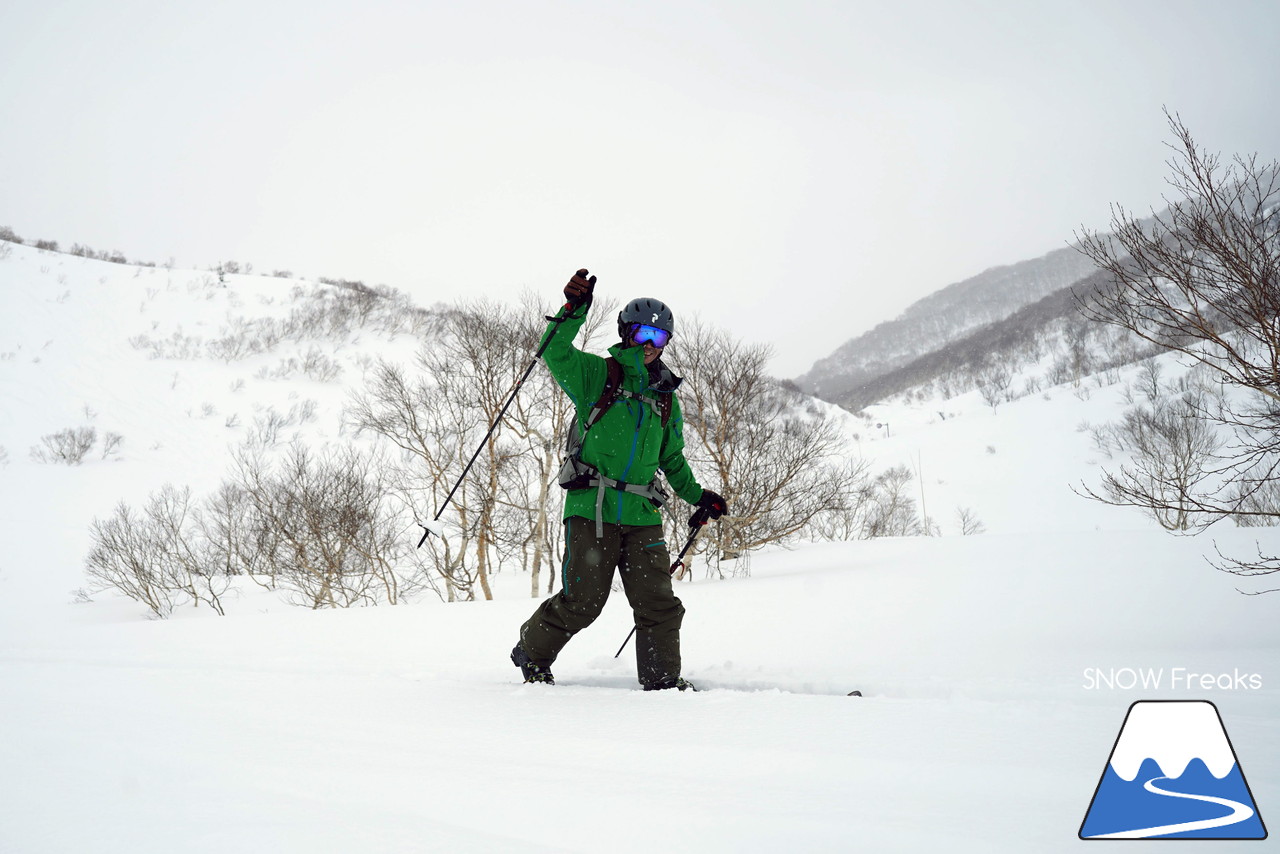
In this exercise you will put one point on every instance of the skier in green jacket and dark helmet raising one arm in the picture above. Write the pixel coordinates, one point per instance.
(611, 509)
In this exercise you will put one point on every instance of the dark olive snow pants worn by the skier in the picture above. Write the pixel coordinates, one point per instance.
(641, 555)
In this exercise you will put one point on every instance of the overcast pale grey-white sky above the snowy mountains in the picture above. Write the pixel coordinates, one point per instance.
(794, 171)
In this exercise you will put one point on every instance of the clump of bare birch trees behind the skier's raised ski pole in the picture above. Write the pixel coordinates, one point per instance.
(438, 417)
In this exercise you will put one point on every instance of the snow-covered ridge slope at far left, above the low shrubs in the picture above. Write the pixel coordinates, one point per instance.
(179, 362)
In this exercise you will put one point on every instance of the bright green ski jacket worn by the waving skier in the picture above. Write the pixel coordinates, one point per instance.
(629, 442)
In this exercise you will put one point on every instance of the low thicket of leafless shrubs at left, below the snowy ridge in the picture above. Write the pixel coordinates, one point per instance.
(317, 526)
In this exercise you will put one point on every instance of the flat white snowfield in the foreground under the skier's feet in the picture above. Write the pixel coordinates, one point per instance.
(404, 729)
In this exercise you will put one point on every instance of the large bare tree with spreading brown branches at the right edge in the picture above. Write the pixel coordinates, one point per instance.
(1204, 280)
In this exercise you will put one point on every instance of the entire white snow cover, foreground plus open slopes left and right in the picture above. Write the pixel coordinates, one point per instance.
(406, 729)
